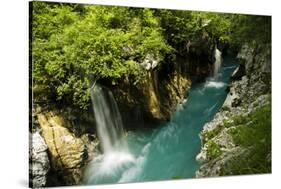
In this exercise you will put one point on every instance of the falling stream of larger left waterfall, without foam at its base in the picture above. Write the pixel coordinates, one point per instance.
(108, 120)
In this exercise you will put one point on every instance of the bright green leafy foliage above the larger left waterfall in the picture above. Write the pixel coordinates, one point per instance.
(70, 48)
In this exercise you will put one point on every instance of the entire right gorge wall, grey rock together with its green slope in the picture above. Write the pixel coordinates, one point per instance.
(238, 139)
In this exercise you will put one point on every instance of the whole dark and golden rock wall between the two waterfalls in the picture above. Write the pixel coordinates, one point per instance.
(165, 84)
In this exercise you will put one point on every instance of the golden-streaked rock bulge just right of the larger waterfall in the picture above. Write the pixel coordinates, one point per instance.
(154, 100)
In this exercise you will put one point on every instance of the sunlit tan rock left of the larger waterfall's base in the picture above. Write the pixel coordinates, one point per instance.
(68, 153)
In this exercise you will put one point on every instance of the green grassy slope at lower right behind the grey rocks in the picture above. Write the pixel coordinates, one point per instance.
(254, 134)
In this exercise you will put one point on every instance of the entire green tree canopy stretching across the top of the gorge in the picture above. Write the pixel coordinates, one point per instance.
(74, 45)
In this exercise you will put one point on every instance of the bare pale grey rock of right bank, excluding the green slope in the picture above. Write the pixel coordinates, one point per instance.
(247, 92)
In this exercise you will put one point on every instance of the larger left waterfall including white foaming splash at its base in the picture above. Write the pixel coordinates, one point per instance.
(116, 156)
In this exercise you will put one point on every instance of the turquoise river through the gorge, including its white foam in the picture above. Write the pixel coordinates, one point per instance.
(169, 150)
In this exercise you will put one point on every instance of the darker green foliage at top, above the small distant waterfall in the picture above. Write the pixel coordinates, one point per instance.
(183, 26)
